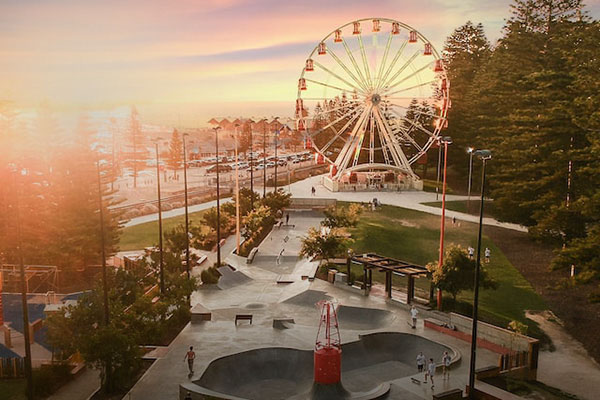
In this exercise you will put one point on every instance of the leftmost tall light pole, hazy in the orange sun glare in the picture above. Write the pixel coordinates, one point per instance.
(26, 333)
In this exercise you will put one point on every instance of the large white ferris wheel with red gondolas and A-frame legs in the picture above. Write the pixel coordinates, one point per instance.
(373, 95)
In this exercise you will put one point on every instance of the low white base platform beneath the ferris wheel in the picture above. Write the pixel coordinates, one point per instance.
(368, 183)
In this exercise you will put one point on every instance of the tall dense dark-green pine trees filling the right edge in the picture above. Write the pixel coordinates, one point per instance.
(533, 98)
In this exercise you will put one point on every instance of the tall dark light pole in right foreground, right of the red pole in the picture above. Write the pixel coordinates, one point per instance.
(484, 156)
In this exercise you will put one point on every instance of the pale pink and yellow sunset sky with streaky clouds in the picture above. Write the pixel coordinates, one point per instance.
(183, 61)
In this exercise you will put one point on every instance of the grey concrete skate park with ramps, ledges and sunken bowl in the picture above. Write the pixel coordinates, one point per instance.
(254, 335)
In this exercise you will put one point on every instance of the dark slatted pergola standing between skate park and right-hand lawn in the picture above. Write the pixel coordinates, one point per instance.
(391, 267)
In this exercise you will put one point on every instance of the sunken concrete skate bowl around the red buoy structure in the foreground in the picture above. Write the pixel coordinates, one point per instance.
(284, 373)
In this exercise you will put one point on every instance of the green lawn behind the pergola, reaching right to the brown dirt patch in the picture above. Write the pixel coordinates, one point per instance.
(413, 236)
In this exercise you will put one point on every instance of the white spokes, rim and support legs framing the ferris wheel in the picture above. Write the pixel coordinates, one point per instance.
(367, 82)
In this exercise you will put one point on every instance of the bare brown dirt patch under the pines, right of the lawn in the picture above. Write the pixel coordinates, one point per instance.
(581, 318)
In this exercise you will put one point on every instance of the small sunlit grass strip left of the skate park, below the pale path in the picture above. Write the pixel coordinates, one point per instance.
(144, 235)
